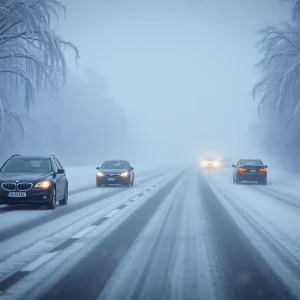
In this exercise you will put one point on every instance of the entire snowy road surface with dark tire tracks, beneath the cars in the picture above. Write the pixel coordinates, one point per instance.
(177, 234)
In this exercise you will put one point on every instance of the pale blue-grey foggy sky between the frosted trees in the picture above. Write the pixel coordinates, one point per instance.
(180, 68)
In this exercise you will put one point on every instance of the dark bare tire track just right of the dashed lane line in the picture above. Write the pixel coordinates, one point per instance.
(88, 278)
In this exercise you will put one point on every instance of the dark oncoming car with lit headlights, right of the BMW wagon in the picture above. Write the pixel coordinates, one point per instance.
(117, 172)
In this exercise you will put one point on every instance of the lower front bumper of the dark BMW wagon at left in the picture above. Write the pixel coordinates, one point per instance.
(32, 197)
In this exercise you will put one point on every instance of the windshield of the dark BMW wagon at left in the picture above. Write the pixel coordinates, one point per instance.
(34, 165)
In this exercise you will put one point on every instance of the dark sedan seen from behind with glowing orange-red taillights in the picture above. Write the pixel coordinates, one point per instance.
(250, 170)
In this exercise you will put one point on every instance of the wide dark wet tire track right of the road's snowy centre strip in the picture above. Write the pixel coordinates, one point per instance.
(247, 274)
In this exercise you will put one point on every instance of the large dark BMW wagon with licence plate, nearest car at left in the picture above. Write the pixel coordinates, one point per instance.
(33, 180)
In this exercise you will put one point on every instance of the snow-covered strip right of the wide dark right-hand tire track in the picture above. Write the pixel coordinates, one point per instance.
(271, 224)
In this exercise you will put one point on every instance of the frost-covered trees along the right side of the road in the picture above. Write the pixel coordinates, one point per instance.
(278, 91)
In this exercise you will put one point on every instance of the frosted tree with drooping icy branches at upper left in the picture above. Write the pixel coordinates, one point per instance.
(31, 58)
